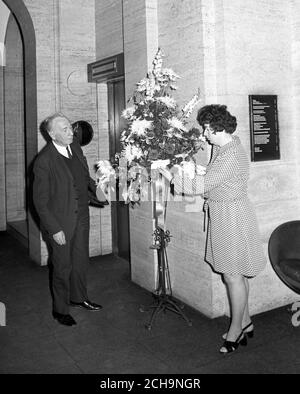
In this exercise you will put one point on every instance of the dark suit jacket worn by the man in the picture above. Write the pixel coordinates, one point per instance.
(54, 194)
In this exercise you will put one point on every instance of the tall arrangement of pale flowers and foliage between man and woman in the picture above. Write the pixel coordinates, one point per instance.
(156, 134)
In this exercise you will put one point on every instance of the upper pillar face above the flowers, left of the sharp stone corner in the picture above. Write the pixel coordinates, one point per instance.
(180, 37)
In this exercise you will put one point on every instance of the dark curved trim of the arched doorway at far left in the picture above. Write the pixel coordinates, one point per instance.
(23, 20)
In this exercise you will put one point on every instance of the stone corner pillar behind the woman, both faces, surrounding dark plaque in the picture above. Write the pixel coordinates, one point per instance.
(231, 50)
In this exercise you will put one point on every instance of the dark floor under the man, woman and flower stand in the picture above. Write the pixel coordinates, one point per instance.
(115, 340)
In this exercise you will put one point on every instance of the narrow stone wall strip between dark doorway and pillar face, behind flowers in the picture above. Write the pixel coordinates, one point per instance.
(140, 35)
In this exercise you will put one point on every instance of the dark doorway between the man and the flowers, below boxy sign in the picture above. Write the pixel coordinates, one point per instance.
(120, 211)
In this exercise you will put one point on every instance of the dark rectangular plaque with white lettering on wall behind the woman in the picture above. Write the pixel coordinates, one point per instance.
(264, 127)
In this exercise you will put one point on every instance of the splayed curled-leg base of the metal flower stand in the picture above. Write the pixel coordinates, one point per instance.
(164, 303)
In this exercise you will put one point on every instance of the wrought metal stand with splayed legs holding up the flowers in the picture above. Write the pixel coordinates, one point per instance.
(163, 293)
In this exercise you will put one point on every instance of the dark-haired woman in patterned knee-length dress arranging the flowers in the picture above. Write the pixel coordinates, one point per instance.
(233, 246)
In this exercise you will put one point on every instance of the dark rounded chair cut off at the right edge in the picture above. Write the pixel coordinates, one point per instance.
(284, 253)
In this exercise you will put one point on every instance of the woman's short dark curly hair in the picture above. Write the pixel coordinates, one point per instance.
(217, 117)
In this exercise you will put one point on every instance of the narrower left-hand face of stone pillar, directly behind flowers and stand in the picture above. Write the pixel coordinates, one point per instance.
(181, 39)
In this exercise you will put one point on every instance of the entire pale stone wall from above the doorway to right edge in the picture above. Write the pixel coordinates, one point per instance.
(229, 49)
